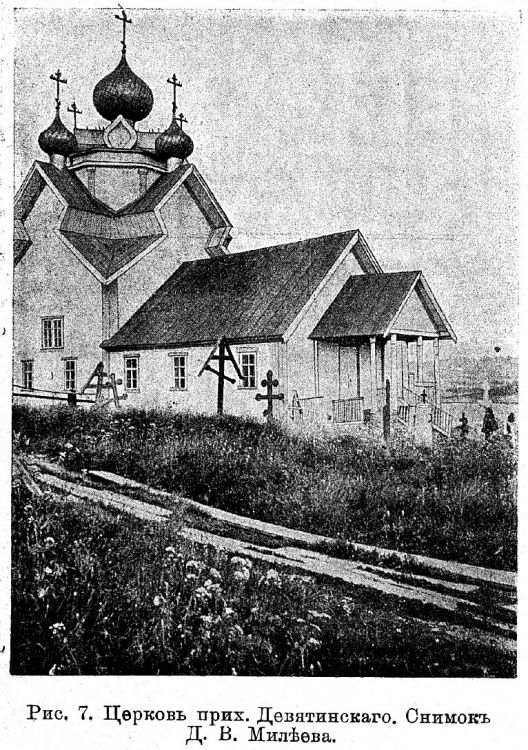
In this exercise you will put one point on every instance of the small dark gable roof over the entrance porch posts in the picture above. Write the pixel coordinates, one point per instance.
(369, 305)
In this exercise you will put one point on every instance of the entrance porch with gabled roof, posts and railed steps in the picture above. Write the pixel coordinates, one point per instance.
(377, 357)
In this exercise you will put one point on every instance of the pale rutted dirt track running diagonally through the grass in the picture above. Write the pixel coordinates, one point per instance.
(471, 597)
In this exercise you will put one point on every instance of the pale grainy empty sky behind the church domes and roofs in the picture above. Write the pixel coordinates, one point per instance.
(401, 124)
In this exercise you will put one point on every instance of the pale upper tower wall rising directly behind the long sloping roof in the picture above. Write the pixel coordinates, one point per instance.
(188, 232)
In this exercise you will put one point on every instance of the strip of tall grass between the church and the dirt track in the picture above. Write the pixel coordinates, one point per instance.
(456, 502)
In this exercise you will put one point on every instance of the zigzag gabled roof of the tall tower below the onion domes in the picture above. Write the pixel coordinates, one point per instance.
(109, 241)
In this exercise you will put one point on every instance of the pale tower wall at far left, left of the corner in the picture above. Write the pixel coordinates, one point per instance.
(49, 281)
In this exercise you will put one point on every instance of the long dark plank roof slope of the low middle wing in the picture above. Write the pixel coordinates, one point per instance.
(249, 296)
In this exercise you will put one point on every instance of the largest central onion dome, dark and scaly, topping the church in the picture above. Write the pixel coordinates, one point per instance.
(122, 92)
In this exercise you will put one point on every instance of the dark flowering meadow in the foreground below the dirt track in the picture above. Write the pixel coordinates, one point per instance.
(98, 593)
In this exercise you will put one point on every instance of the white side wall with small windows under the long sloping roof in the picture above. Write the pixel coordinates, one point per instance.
(156, 381)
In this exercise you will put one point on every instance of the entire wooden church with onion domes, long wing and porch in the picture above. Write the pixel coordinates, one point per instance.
(124, 271)
